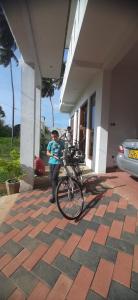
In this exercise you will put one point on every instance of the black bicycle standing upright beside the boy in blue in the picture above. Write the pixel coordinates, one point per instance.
(69, 194)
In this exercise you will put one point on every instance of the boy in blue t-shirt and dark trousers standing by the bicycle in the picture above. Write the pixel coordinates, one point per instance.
(54, 151)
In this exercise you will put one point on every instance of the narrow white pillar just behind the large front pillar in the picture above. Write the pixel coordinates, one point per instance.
(37, 121)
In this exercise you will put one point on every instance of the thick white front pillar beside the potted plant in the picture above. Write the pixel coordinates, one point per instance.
(27, 140)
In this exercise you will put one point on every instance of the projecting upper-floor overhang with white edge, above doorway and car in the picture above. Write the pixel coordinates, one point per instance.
(109, 30)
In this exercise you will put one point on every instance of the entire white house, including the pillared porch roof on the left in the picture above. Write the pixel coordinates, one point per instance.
(99, 90)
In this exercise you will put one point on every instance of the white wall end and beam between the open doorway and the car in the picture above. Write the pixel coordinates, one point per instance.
(101, 85)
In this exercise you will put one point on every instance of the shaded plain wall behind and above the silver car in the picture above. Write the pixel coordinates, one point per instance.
(123, 109)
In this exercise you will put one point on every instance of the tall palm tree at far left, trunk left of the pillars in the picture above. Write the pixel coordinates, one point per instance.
(7, 49)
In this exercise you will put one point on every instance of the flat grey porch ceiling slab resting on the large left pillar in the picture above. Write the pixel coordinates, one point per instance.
(39, 28)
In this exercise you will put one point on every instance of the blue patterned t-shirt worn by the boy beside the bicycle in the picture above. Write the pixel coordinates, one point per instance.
(55, 147)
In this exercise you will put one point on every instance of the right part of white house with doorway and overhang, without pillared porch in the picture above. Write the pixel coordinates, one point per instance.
(100, 87)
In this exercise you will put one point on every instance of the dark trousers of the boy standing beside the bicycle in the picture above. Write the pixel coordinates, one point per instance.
(54, 172)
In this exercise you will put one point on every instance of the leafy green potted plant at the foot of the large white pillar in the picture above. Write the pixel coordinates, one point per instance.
(13, 172)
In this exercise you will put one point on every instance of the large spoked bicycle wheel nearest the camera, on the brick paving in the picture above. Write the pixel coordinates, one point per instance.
(69, 198)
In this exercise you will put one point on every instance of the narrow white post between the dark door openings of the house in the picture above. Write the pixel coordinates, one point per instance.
(88, 130)
